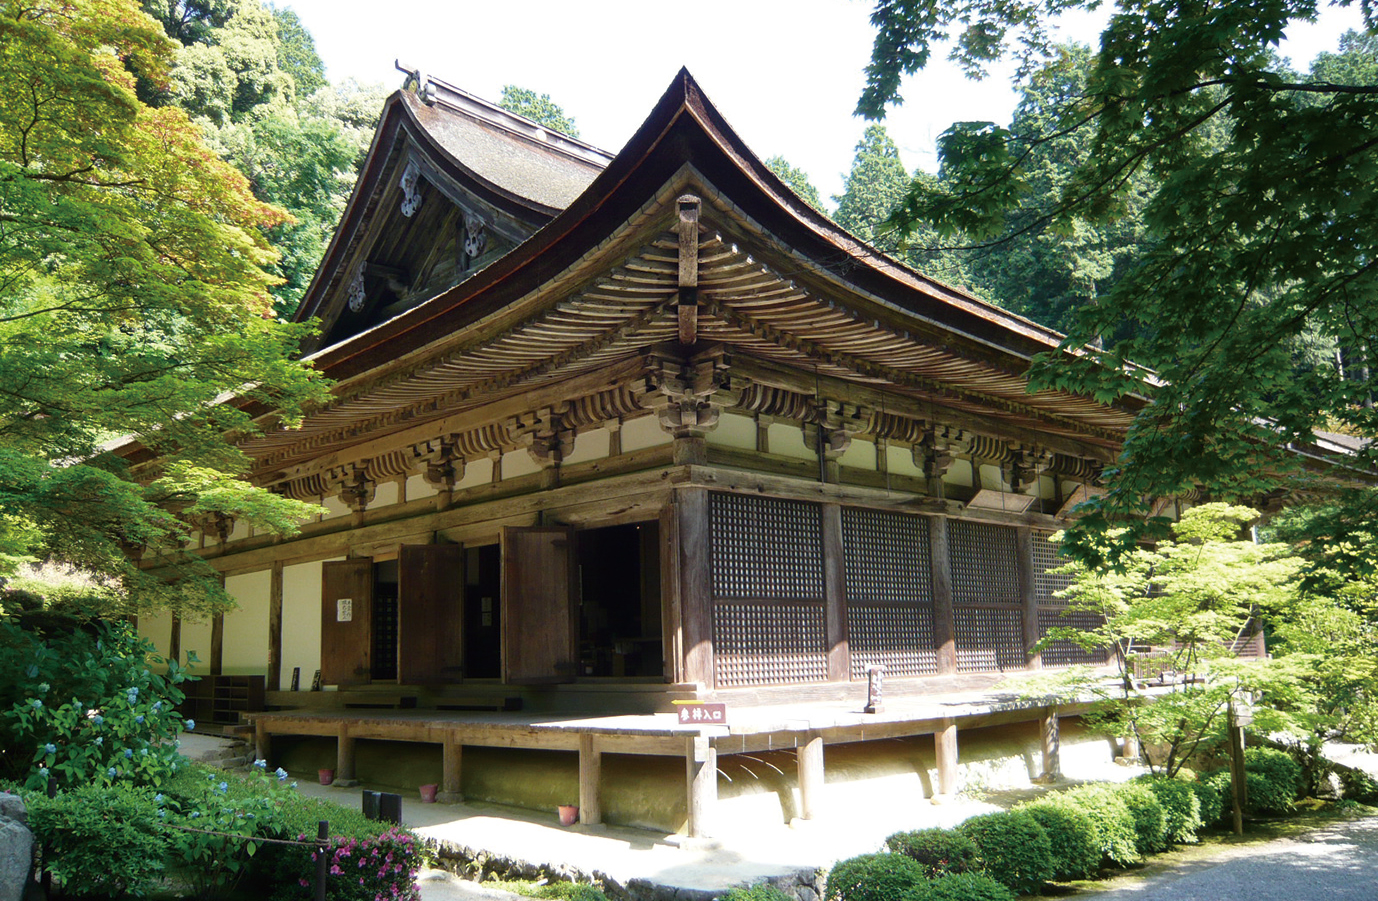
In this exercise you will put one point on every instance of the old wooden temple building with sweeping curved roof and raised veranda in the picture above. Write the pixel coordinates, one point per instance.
(617, 432)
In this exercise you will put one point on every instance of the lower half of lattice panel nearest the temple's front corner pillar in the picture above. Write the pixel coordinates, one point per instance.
(768, 644)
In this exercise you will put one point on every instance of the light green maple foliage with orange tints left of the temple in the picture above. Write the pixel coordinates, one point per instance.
(134, 297)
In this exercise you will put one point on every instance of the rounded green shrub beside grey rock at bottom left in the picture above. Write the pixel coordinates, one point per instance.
(103, 841)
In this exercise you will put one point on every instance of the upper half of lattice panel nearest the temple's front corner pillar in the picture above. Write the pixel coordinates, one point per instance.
(767, 549)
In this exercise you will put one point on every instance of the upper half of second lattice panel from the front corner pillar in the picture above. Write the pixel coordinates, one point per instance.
(885, 557)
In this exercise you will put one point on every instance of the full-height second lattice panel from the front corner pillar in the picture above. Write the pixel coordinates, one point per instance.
(889, 593)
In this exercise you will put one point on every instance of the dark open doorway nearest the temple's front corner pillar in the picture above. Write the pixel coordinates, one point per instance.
(619, 611)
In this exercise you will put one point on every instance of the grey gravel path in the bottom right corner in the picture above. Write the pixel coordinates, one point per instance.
(1337, 863)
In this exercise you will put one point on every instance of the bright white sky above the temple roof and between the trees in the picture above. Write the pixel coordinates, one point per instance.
(786, 74)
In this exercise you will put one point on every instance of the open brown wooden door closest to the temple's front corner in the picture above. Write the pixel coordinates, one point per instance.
(538, 610)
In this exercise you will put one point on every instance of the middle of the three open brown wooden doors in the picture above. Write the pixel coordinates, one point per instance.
(431, 614)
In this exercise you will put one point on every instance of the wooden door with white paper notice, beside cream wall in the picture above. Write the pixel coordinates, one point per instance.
(347, 622)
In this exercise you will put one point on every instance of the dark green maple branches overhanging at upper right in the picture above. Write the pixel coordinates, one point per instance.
(1255, 187)
